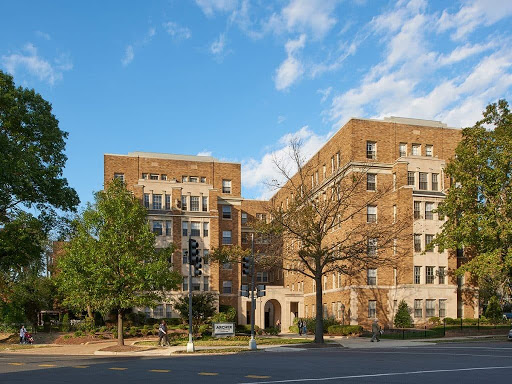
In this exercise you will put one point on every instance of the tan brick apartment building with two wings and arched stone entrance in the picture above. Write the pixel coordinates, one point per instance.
(200, 196)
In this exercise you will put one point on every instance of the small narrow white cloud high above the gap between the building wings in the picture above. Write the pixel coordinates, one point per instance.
(291, 69)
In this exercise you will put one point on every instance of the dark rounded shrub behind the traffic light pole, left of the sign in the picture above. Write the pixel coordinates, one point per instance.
(203, 307)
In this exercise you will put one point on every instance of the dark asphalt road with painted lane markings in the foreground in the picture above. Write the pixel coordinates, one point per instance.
(489, 362)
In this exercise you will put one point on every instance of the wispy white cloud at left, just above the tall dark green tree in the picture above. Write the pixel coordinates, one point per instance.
(35, 65)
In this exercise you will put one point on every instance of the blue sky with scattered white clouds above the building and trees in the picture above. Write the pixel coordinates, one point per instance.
(238, 78)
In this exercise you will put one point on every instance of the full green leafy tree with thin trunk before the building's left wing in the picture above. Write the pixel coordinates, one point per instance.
(112, 258)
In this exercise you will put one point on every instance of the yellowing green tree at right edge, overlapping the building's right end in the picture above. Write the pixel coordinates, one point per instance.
(479, 203)
